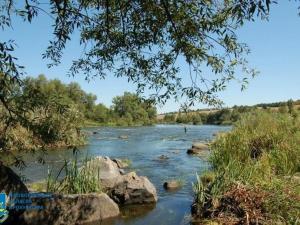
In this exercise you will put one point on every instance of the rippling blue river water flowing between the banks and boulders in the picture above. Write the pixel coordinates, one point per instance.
(143, 148)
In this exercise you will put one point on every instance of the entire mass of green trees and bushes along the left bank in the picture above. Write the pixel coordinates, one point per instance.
(51, 114)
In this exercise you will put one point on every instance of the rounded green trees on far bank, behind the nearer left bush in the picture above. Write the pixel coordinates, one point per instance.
(126, 110)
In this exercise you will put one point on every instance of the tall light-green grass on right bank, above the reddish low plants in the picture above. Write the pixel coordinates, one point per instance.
(275, 136)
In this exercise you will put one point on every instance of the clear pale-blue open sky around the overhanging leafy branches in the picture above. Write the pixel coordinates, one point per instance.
(275, 52)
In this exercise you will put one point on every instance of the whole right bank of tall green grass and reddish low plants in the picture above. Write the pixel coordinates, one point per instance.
(255, 173)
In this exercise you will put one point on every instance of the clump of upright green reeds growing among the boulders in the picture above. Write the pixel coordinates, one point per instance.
(76, 180)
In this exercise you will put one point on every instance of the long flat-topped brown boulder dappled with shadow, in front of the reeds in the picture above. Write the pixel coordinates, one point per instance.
(72, 209)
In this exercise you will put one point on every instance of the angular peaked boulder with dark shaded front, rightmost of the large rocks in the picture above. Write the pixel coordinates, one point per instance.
(133, 189)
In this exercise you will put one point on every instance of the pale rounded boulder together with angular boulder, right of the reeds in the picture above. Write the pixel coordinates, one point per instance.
(123, 189)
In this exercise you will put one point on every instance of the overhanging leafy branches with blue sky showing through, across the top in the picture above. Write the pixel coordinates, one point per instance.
(143, 41)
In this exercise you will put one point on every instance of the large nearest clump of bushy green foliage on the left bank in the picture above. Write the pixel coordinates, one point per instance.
(49, 117)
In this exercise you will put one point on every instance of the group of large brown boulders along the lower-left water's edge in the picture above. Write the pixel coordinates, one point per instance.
(118, 189)
